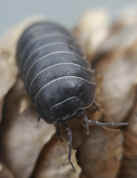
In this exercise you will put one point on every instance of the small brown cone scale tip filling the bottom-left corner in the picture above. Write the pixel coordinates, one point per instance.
(5, 172)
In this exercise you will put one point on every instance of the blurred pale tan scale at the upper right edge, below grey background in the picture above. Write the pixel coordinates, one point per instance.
(122, 33)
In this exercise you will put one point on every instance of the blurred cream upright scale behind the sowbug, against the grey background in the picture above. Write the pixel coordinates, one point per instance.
(91, 31)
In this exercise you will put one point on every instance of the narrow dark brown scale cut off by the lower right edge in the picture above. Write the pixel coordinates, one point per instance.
(129, 163)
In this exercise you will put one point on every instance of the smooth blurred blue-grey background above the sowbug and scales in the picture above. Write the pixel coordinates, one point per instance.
(64, 11)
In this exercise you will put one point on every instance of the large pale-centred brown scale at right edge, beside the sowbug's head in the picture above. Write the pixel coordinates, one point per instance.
(116, 82)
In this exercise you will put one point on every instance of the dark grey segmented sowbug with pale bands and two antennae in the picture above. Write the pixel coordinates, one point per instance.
(55, 74)
